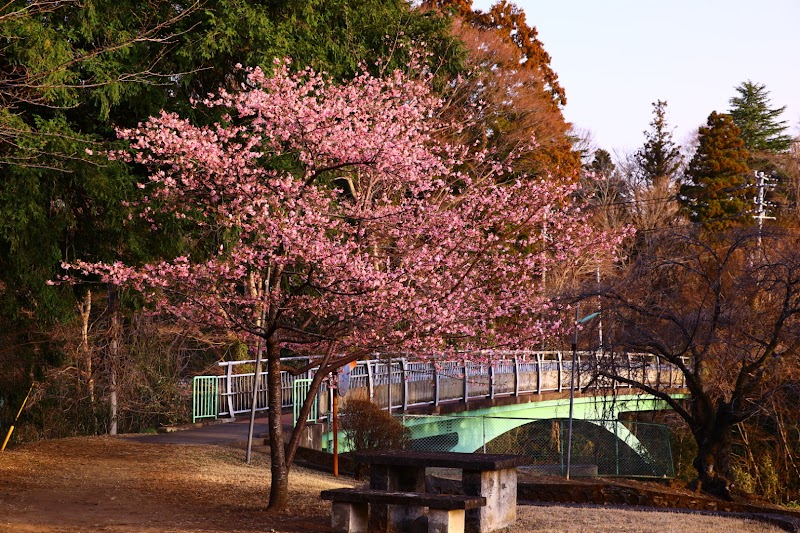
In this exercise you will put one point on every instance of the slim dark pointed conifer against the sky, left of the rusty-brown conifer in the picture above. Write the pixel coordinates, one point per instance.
(659, 159)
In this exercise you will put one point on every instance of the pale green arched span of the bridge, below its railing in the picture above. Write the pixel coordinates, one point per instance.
(604, 442)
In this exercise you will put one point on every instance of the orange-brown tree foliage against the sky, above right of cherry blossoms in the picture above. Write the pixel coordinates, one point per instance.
(513, 88)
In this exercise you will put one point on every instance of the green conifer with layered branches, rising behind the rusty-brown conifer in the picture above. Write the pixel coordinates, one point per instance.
(760, 128)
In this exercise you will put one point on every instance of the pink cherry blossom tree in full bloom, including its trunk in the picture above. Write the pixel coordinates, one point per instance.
(328, 219)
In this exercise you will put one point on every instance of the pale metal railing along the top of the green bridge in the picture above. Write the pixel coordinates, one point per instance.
(402, 382)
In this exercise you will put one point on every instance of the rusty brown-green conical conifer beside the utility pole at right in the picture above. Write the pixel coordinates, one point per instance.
(715, 196)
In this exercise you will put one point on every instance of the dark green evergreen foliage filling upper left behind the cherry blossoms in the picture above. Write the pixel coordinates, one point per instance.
(73, 71)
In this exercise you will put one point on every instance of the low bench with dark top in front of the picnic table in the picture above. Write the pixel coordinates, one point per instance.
(362, 510)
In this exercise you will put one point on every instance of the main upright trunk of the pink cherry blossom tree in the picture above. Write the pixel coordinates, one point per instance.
(279, 484)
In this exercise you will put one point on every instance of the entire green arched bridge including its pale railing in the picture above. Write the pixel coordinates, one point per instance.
(518, 404)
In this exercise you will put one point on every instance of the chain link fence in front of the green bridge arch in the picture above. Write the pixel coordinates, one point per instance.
(599, 447)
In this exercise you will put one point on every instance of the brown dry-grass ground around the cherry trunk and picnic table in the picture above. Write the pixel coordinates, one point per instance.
(120, 485)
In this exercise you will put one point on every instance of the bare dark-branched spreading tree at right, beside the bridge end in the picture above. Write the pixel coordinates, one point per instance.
(726, 313)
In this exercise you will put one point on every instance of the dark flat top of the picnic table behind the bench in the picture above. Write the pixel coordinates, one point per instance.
(464, 461)
